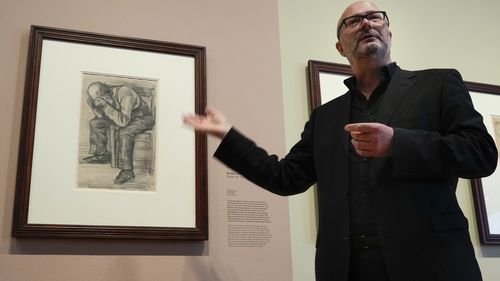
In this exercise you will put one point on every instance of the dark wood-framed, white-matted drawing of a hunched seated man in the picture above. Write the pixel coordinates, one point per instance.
(103, 152)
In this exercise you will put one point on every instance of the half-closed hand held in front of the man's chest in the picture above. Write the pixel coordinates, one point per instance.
(371, 139)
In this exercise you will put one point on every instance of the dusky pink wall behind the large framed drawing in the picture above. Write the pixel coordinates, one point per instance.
(244, 80)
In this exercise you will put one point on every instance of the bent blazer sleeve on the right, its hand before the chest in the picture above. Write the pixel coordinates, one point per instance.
(461, 147)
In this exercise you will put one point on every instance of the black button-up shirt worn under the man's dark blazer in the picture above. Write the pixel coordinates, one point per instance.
(362, 212)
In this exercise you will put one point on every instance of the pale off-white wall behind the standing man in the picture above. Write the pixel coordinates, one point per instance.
(448, 33)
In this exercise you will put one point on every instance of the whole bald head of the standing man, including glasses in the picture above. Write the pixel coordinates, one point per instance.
(363, 31)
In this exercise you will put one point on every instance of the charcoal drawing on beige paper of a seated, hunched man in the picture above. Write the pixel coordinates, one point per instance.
(117, 132)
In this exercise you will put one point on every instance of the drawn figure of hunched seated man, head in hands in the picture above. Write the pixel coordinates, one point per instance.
(122, 107)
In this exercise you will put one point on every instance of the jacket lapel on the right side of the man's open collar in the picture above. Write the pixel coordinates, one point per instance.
(396, 92)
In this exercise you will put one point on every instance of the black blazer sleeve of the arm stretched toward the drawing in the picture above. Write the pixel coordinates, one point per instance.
(291, 175)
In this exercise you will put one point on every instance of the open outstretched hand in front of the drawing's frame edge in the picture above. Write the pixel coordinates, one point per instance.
(213, 122)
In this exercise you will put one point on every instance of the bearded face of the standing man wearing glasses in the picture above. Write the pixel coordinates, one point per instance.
(366, 39)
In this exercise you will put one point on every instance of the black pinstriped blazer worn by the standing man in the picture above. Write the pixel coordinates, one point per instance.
(438, 137)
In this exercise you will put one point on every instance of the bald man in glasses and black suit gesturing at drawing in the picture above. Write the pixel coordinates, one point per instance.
(386, 157)
